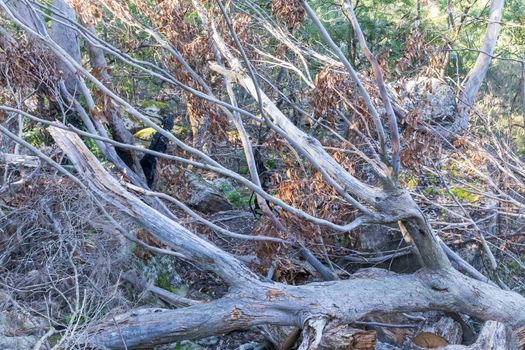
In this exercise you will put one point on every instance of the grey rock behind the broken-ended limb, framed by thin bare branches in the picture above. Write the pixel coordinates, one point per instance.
(206, 198)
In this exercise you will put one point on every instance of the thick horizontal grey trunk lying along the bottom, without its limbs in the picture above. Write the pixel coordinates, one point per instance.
(342, 302)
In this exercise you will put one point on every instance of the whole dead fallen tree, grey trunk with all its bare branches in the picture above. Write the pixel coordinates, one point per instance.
(317, 308)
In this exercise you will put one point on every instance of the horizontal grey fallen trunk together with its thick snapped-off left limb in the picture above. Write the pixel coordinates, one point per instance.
(252, 302)
